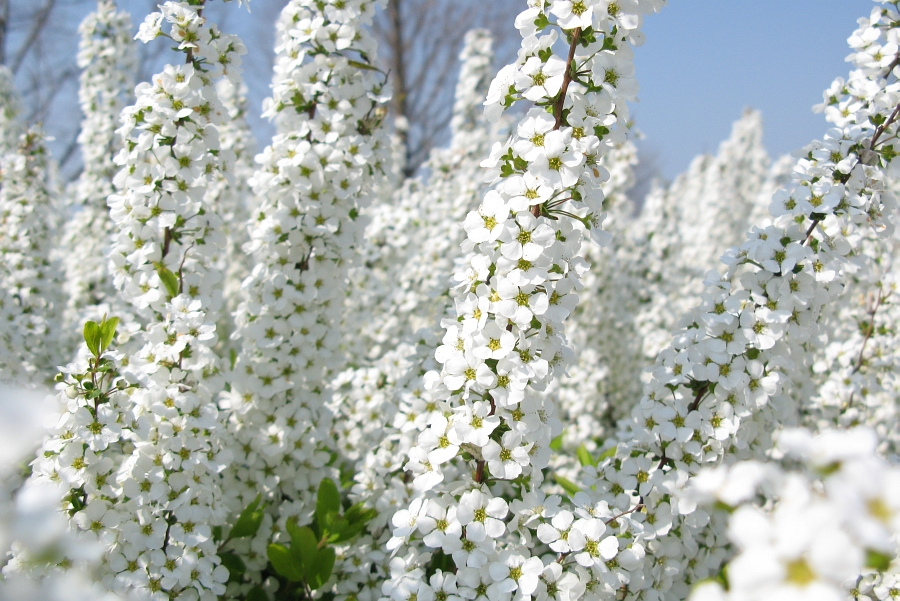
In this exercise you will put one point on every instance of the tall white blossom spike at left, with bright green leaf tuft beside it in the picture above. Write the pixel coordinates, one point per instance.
(139, 442)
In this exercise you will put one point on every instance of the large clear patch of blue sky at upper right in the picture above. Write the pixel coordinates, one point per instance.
(706, 60)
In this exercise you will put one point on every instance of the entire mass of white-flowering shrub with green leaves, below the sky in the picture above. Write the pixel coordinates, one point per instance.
(310, 378)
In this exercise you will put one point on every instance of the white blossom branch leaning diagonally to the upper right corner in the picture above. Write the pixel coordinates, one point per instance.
(719, 388)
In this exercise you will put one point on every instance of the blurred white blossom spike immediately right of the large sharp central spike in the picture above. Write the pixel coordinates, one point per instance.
(605, 376)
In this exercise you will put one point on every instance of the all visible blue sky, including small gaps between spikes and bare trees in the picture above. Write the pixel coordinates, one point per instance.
(704, 62)
